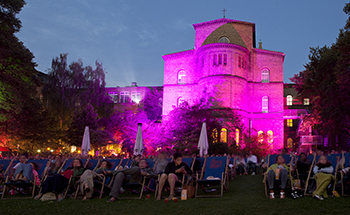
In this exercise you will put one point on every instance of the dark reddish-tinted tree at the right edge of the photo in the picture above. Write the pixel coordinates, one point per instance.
(326, 81)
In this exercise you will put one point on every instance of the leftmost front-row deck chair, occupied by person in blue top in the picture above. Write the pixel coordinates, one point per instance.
(18, 186)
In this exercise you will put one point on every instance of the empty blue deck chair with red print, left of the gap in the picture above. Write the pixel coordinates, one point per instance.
(214, 174)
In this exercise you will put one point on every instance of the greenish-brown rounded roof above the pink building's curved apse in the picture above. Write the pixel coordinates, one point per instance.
(228, 31)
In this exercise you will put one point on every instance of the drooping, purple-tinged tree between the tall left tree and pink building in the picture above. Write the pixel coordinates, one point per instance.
(76, 97)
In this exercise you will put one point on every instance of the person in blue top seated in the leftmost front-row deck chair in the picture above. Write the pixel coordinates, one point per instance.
(23, 170)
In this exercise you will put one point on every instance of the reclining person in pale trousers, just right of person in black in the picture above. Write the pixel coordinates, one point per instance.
(87, 179)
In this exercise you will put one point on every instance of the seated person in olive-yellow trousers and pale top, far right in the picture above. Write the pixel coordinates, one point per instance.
(323, 175)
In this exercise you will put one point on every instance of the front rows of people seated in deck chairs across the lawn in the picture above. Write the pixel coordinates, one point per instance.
(169, 172)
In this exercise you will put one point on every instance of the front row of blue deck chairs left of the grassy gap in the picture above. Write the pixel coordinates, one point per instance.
(213, 171)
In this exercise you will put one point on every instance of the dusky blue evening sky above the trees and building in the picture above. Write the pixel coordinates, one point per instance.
(130, 37)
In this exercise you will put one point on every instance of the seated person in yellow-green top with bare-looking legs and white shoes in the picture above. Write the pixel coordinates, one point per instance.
(279, 169)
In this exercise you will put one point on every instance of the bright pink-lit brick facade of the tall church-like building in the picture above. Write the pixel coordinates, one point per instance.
(226, 64)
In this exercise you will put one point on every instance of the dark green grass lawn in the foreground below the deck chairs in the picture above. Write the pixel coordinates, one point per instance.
(246, 196)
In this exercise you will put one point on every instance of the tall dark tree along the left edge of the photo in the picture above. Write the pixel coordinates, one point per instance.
(23, 121)
